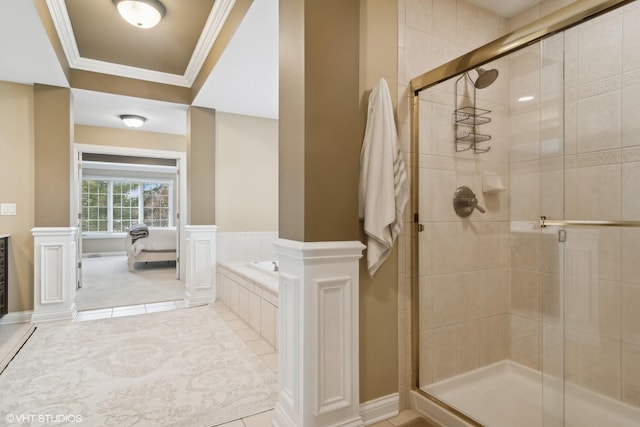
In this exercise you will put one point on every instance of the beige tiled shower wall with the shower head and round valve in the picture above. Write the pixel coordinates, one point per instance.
(464, 264)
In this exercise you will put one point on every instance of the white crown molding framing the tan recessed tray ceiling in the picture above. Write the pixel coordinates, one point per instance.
(218, 16)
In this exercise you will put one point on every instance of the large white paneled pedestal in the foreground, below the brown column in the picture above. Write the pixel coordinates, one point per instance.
(318, 334)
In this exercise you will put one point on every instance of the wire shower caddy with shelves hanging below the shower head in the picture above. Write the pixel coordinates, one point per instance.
(467, 119)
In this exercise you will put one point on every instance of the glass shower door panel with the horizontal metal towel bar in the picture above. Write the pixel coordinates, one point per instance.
(590, 287)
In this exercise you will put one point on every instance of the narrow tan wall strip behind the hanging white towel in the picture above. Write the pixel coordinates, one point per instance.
(378, 295)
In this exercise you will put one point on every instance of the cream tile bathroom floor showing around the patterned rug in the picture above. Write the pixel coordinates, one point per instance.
(13, 336)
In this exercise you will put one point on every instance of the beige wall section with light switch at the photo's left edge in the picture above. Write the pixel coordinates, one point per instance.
(17, 171)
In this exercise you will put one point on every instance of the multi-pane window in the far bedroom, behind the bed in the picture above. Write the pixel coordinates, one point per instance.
(110, 206)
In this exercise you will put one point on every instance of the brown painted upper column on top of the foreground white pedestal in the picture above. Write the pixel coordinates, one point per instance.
(320, 130)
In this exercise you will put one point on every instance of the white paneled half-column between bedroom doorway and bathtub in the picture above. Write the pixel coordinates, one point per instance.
(201, 264)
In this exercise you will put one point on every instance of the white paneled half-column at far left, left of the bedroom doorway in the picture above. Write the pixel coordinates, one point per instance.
(54, 274)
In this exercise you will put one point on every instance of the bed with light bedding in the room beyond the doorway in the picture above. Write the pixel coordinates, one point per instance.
(147, 244)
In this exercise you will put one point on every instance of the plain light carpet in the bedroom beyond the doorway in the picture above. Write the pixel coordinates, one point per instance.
(107, 282)
